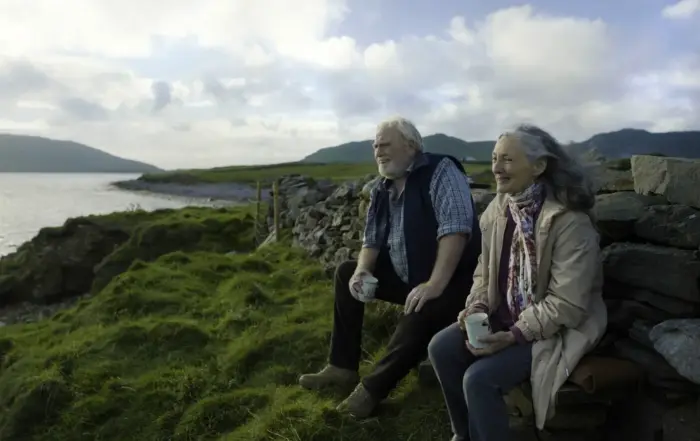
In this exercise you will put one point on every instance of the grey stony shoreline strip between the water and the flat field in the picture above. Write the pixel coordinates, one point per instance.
(231, 192)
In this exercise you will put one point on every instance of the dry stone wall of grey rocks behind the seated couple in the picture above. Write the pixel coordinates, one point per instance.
(650, 239)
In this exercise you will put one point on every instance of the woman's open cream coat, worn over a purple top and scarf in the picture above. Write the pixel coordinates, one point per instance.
(569, 316)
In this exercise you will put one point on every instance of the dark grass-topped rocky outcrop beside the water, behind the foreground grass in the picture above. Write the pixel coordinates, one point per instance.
(83, 255)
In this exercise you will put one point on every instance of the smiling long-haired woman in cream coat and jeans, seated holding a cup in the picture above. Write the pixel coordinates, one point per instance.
(539, 279)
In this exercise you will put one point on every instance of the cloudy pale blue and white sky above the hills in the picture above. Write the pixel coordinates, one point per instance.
(185, 83)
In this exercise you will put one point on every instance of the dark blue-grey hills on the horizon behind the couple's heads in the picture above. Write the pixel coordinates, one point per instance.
(621, 144)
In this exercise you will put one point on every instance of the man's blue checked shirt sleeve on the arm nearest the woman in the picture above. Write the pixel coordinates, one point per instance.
(451, 199)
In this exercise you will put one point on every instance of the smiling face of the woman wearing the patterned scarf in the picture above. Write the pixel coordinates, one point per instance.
(511, 167)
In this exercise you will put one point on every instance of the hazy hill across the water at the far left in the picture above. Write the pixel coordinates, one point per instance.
(19, 154)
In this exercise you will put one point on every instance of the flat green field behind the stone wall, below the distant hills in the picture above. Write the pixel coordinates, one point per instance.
(268, 173)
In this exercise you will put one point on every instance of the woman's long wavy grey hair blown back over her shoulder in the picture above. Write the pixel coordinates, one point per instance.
(565, 175)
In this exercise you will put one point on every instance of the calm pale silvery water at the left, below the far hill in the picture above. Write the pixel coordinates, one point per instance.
(30, 201)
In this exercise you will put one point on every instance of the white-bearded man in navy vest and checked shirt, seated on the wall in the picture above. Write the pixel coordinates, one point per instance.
(422, 242)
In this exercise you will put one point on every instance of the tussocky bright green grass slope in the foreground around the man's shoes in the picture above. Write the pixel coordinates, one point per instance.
(198, 346)
